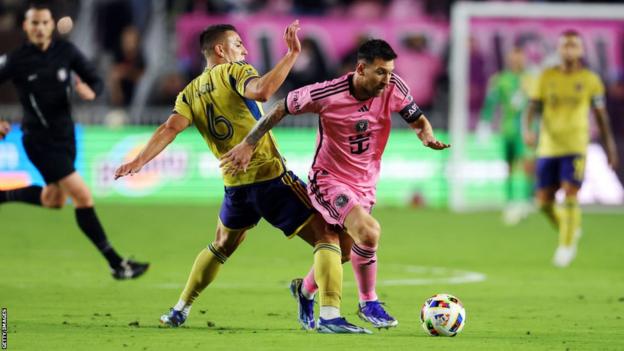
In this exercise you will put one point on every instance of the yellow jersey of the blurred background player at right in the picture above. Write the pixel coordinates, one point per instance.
(566, 99)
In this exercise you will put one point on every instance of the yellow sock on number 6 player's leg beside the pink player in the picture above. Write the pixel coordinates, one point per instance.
(328, 274)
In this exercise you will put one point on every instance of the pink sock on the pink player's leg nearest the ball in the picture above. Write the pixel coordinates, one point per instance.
(364, 263)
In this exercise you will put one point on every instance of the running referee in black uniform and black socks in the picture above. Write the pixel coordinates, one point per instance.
(41, 72)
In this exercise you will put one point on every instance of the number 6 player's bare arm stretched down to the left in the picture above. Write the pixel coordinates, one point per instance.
(163, 136)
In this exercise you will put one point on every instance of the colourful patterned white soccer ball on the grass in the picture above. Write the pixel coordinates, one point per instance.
(443, 315)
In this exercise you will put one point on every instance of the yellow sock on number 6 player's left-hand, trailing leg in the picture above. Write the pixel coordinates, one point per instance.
(204, 271)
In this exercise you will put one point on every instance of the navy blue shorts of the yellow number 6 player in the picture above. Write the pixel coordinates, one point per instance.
(283, 202)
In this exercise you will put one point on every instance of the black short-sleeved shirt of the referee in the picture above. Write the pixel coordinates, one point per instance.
(44, 85)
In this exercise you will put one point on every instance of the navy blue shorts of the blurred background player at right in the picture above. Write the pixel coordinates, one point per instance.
(551, 171)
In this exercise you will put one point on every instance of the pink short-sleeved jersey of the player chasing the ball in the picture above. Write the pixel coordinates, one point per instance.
(352, 133)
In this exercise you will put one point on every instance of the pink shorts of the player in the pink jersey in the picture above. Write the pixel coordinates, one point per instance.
(334, 199)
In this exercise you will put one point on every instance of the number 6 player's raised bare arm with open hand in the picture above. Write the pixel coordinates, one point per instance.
(261, 89)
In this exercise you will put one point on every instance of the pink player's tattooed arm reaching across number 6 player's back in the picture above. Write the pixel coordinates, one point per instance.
(239, 156)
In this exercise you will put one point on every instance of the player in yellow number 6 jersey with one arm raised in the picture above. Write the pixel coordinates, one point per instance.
(223, 104)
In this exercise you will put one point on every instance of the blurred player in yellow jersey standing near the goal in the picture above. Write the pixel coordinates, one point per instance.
(565, 94)
